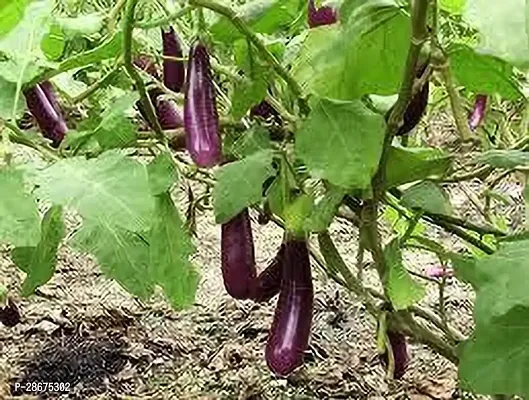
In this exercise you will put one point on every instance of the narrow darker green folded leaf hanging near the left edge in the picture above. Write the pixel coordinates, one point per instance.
(39, 262)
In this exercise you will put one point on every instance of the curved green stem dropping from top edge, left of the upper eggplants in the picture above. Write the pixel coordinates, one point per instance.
(128, 27)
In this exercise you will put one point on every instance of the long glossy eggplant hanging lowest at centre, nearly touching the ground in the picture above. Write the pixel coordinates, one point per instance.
(289, 335)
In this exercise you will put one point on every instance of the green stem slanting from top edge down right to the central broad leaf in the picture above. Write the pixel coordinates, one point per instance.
(254, 39)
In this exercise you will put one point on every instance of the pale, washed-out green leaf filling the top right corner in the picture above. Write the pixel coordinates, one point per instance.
(502, 28)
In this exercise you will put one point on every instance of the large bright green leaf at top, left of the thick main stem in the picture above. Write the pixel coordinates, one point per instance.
(366, 55)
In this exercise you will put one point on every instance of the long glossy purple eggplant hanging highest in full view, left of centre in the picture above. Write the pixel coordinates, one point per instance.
(200, 110)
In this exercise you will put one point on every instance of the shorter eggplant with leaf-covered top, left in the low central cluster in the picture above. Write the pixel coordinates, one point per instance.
(237, 256)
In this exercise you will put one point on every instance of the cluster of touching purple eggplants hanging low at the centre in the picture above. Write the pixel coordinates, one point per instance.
(288, 274)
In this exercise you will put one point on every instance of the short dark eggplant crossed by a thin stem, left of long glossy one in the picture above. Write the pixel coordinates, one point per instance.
(173, 70)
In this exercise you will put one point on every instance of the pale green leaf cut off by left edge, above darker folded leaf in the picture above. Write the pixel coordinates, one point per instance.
(19, 217)
